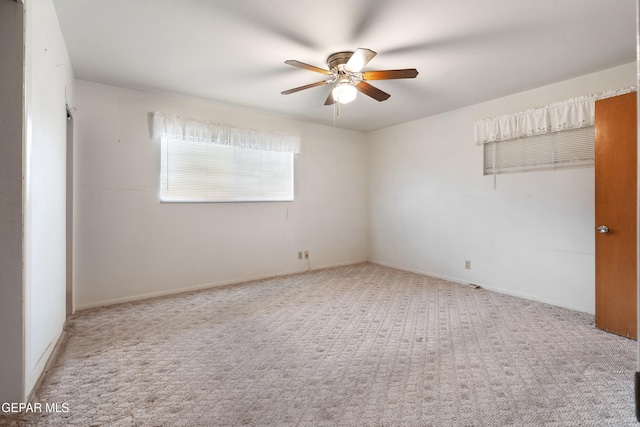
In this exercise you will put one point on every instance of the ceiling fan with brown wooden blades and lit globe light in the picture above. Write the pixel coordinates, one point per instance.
(345, 70)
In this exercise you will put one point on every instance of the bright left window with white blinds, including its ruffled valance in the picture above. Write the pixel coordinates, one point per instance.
(204, 161)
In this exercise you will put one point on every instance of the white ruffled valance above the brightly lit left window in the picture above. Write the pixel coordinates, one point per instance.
(187, 129)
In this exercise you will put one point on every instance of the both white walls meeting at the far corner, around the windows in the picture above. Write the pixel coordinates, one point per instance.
(428, 207)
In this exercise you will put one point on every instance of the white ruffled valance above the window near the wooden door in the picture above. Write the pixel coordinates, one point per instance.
(570, 114)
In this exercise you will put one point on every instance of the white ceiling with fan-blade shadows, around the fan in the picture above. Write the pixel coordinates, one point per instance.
(233, 52)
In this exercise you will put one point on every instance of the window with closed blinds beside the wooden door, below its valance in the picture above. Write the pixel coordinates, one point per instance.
(568, 148)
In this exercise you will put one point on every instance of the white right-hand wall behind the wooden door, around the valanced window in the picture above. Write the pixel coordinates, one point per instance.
(430, 207)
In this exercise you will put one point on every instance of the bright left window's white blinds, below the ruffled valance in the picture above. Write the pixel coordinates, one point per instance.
(208, 172)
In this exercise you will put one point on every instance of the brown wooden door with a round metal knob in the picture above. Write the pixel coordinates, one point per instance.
(616, 219)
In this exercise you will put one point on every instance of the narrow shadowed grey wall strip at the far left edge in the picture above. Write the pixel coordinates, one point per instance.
(11, 107)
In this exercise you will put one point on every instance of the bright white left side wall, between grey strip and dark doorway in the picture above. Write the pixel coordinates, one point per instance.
(49, 83)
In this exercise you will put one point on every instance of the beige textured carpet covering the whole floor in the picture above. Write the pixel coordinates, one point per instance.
(362, 345)
